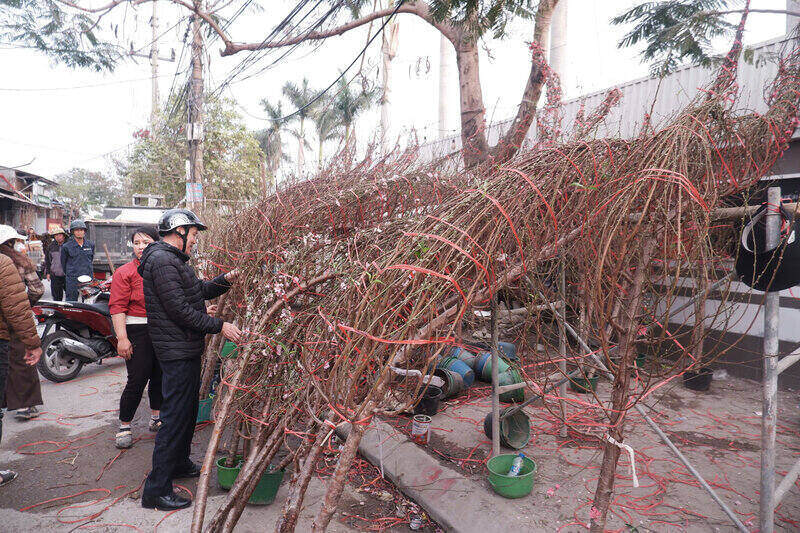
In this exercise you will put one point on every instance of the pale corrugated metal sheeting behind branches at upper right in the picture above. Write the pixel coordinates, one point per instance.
(666, 96)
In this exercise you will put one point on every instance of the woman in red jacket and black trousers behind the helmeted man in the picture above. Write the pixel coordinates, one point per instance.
(133, 340)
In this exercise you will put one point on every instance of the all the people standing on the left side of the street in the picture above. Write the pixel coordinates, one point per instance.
(160, 317)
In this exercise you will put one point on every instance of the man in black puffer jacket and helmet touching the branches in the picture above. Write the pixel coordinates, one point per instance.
(178, 323)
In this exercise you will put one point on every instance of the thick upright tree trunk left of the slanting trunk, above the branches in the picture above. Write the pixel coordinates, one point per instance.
(473, 113)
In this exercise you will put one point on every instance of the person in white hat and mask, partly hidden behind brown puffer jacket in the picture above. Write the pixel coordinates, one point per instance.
(23, 391)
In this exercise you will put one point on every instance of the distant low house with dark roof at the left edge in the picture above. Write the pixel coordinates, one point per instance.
(29, 201)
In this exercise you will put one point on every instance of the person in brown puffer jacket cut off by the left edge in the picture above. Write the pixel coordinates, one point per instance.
(16, 319)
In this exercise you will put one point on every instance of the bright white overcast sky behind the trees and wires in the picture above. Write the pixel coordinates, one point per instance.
(62, 118)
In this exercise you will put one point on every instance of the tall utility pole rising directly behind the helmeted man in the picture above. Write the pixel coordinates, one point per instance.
(194, 126)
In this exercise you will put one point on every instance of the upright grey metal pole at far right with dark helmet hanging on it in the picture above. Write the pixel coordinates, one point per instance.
(769, 405)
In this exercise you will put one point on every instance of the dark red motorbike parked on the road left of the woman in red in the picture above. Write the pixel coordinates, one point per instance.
(76, 333)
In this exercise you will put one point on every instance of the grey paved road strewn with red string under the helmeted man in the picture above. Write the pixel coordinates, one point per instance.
(67, 457)
